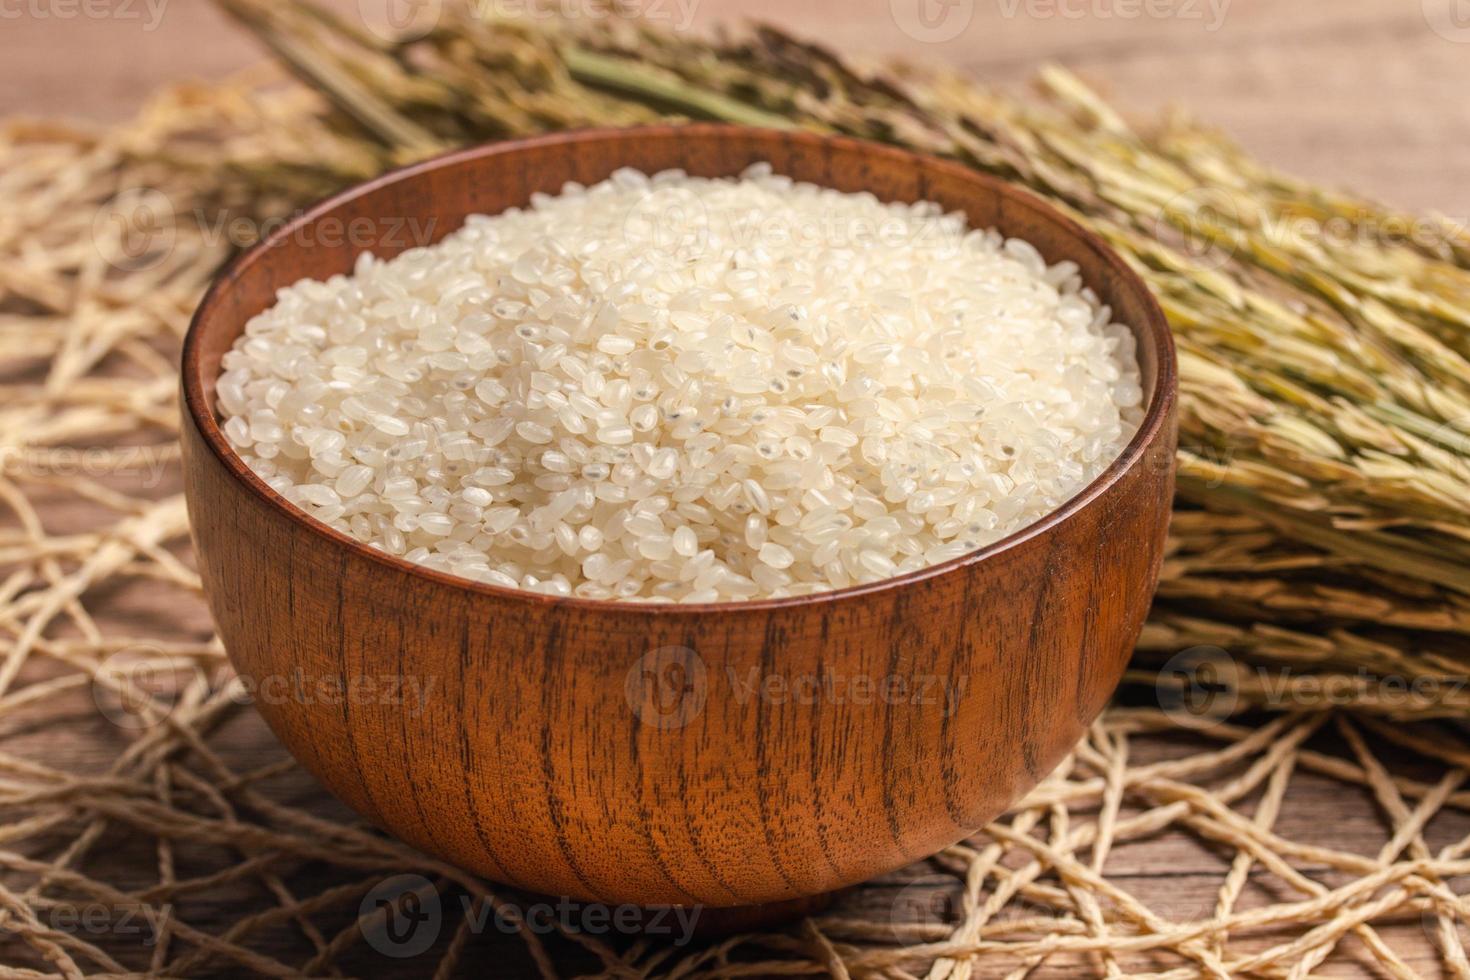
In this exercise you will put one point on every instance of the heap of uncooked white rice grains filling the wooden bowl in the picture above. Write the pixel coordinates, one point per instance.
(687, 390)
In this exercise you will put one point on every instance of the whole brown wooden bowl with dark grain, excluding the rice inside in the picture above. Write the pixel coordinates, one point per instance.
(727, 754)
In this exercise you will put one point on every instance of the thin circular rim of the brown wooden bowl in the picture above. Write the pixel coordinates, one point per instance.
(1156, 418)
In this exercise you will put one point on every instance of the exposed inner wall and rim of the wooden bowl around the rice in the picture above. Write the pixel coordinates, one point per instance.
(423, 203)
